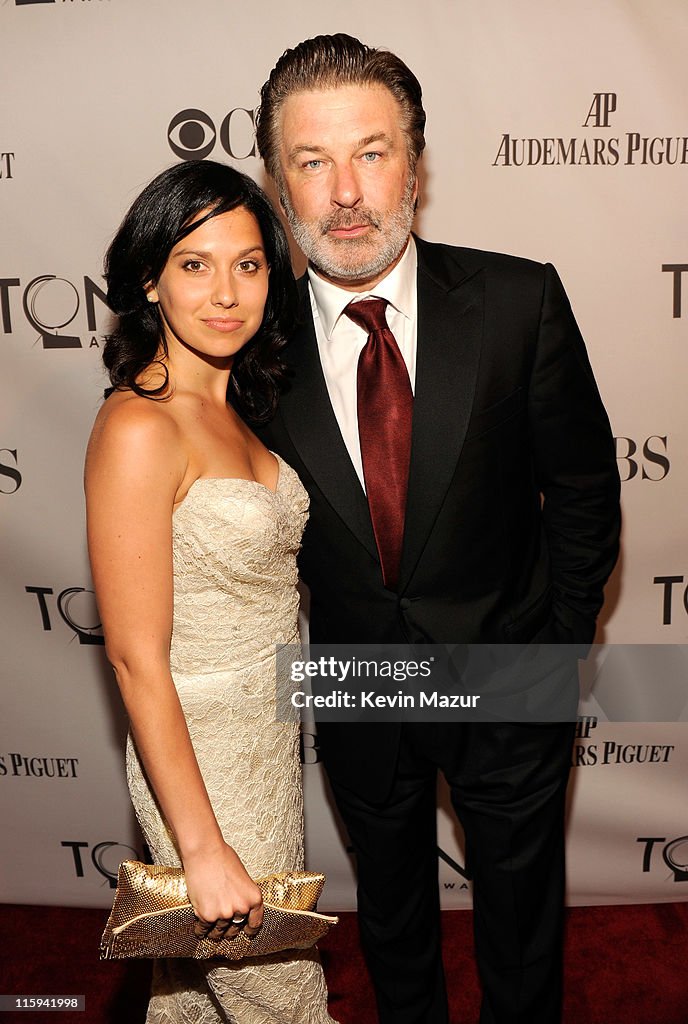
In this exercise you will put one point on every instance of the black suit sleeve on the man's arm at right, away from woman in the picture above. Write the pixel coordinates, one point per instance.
(576, 467)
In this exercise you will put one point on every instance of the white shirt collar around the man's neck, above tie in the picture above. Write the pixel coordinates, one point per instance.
(329, 302)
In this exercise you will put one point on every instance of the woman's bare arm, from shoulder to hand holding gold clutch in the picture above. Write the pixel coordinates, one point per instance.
(135, 467)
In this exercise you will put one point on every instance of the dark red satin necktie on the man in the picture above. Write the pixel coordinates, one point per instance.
(385, 408)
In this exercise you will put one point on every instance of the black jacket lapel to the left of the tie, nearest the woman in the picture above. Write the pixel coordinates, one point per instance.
(310, 419)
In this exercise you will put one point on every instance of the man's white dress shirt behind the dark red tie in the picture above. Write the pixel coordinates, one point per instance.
(340, 340)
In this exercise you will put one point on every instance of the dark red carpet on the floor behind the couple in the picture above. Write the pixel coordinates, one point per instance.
(625, 965)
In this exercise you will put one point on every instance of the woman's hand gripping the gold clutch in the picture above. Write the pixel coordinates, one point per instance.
(222, 892)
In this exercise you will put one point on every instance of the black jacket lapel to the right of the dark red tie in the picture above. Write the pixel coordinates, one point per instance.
(450, 336)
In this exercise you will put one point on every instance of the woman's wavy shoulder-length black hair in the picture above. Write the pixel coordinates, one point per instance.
(158, 220)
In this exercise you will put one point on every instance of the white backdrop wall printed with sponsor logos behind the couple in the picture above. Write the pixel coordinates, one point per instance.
(556, 132)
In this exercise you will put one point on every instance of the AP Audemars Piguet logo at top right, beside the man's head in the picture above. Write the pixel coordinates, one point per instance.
(596, 146)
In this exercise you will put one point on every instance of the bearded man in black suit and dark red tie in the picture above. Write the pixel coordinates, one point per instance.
(464, 490)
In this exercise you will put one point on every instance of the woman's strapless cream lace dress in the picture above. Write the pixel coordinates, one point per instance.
(235, 546)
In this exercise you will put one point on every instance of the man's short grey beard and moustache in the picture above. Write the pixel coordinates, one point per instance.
(361, 259)
